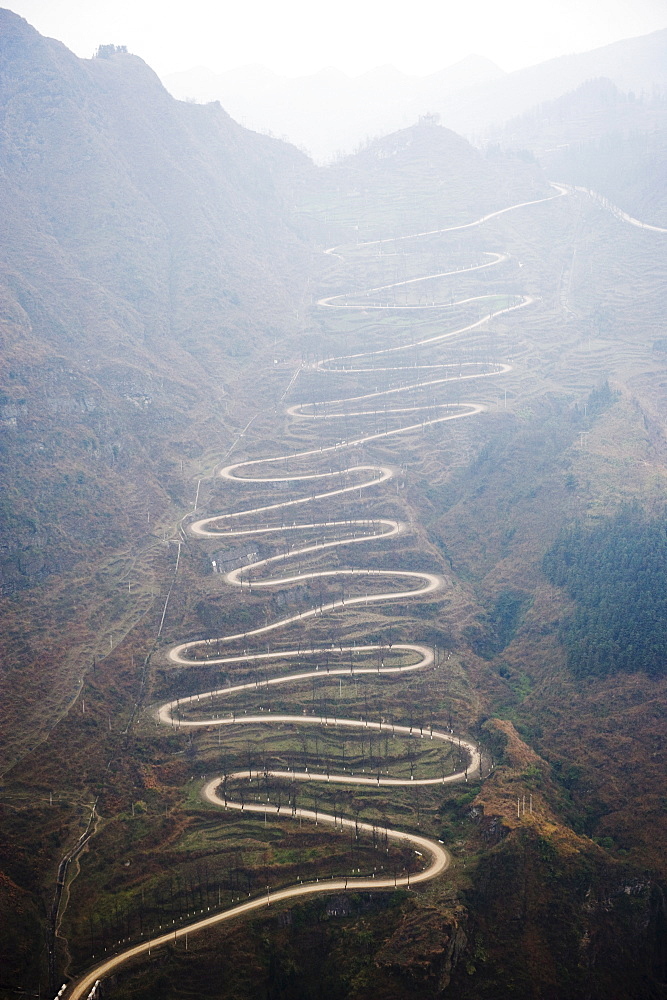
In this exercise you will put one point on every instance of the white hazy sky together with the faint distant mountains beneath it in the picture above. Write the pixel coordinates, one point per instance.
(329, 76)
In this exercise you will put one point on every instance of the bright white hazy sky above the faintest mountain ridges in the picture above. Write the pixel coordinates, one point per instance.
(294, 37)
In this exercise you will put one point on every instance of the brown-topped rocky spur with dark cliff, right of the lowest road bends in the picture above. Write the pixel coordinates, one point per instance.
(549, 911)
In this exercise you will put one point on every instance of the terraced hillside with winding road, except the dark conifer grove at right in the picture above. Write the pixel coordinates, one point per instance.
(342, 754)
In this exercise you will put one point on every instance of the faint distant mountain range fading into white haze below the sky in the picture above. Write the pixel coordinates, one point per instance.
(329, 112)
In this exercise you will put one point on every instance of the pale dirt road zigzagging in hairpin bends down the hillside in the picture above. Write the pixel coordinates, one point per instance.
(263, 574)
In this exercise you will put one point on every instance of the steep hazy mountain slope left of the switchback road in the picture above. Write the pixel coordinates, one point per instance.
(145, 250)
